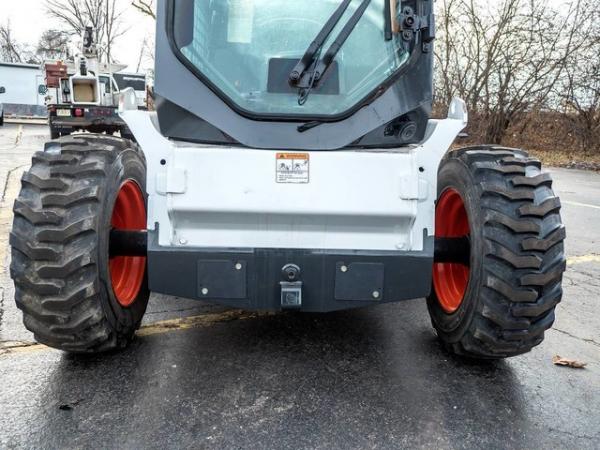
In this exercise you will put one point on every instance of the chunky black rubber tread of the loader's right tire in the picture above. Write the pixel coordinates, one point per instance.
(524, 259)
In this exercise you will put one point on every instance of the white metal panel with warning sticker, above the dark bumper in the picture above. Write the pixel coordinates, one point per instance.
(228, 197)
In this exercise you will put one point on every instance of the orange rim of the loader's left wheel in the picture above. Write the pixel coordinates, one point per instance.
(127, 272)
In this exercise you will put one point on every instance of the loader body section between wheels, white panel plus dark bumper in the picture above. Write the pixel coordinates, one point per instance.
(359, 223)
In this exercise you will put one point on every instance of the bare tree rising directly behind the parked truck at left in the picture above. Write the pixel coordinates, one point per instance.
(103, 15)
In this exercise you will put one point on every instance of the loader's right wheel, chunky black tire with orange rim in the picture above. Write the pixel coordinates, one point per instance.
(503, 302)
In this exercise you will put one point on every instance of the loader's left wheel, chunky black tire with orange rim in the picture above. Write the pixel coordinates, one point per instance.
(73, 296)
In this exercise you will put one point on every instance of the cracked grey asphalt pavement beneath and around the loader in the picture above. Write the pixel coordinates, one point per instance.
(200, 376)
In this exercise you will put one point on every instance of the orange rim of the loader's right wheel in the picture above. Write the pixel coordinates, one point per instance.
(450, 281)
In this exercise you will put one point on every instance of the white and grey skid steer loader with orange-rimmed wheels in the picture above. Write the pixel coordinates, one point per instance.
(291, 165)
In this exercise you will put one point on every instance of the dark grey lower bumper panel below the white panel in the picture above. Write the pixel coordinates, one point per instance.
(252, 279)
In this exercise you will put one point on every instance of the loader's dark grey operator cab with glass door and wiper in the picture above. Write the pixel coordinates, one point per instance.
(244, 68)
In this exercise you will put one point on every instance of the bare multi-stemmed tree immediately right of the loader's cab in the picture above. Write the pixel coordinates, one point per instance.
(504, 58)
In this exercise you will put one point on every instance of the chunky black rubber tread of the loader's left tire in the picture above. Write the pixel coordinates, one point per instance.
(54, 240)
